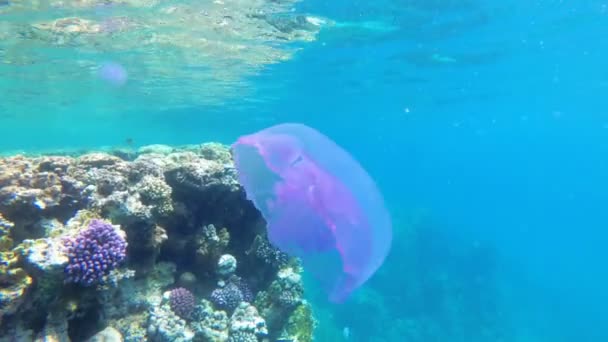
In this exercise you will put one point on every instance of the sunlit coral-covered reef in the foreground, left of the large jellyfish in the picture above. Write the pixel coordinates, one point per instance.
(154, 244)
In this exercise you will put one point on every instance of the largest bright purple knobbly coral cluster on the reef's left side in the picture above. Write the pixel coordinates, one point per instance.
(93, 253)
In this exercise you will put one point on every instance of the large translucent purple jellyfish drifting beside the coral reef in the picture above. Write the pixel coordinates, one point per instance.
(319, 204)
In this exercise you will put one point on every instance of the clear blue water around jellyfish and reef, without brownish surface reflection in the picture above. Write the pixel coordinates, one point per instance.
(484, 123)
